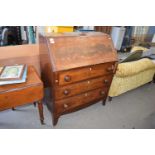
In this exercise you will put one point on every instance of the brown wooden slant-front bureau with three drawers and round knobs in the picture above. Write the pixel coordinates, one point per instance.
(78, 67)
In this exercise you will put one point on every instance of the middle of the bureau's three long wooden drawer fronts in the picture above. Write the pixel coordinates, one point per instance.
(81, 87)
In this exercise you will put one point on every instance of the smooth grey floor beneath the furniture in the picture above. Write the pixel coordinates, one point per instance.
(132, 110)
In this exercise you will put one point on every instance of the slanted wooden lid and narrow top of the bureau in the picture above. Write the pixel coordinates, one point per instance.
(72, 50)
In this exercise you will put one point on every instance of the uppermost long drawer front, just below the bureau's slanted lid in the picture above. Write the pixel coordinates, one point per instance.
(85, 73)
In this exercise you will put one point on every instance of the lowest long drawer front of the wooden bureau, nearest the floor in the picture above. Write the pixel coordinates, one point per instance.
(80, 100)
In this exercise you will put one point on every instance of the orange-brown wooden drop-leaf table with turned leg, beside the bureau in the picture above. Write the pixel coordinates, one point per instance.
(28, 92)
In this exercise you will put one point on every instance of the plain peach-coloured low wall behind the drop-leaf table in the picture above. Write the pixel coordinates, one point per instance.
(28, 54)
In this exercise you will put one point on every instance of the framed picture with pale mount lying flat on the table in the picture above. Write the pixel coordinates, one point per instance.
(12, 72)
